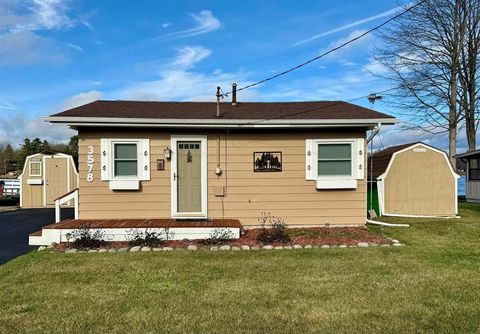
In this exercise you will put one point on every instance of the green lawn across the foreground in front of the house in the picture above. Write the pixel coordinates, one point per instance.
(432, 285)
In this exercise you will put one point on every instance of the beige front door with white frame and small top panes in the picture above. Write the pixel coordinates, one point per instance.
(189, 177)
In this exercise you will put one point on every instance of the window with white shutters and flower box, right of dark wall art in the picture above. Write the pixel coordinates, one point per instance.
(335, 163)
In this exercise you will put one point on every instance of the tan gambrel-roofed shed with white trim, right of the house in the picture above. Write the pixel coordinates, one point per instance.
(414, 180)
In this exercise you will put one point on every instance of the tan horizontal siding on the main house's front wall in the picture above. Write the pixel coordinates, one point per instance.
(247, 194)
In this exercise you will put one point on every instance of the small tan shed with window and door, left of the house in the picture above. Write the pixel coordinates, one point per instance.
(46, 176)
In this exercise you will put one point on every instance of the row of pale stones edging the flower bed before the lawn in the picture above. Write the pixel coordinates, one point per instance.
(193, 248)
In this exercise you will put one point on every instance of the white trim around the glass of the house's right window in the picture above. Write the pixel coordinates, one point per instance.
(314, 159)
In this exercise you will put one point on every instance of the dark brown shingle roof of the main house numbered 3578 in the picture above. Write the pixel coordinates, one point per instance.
(207, 110)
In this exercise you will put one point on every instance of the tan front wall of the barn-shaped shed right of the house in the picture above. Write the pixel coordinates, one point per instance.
(420, 183)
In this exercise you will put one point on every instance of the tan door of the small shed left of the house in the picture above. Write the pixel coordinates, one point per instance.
(56, 182)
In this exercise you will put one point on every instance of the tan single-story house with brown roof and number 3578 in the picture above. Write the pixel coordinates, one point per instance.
(203, 165)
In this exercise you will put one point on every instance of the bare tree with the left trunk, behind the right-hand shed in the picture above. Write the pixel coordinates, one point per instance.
(422, 53)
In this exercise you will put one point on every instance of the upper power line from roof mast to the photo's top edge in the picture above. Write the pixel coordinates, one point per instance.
(331, 50)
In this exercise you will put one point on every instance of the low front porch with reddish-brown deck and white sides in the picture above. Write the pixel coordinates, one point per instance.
(120, 229)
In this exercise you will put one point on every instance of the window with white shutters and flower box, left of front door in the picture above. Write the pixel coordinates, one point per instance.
(125, 162)
